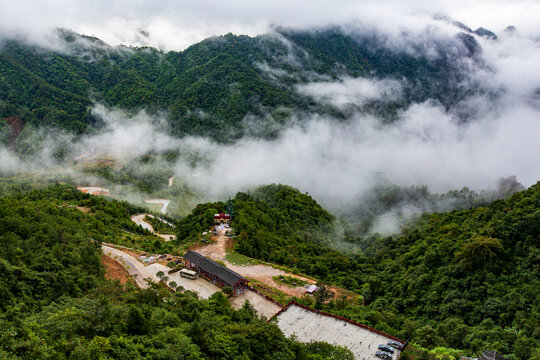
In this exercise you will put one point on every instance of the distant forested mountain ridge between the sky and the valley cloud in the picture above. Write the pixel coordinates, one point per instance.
(209, 88)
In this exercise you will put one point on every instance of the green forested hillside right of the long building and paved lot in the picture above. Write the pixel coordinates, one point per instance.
(464, 279)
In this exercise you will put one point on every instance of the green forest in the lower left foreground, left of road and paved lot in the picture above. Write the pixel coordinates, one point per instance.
(56, 304)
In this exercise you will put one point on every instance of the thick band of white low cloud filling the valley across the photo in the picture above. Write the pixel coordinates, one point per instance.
(338, 163)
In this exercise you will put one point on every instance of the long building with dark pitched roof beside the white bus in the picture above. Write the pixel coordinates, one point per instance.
(215, 272)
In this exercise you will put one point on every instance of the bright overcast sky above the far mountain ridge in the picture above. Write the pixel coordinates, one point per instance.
(177, 24)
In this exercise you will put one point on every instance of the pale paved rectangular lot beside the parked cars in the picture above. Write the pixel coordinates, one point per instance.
(310, 326)
